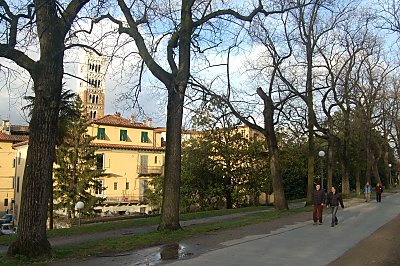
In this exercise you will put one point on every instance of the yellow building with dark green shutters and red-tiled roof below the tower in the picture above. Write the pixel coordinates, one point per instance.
(130, 153)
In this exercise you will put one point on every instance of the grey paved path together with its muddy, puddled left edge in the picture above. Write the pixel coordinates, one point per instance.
(298, 244)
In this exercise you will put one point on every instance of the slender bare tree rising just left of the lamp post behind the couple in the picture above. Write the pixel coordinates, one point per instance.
(314, 21)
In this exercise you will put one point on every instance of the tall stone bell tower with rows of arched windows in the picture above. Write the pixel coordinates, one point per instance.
(91, 85)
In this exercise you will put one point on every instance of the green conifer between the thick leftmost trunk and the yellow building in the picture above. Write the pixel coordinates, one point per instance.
(76, 174)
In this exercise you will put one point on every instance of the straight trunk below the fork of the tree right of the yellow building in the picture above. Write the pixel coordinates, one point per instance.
(171, 188)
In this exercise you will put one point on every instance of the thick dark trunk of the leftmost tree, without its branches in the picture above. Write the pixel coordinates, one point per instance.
(31, 238)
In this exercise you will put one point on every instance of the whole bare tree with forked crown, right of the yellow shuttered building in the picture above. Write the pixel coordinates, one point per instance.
(192, 24)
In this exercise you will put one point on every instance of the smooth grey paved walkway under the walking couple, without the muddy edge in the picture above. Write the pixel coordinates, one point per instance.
(304, 243)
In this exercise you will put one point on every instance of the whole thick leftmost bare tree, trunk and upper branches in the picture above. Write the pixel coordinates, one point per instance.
(50, 22)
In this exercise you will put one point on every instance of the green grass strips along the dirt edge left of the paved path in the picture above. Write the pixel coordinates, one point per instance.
(125, 243)
